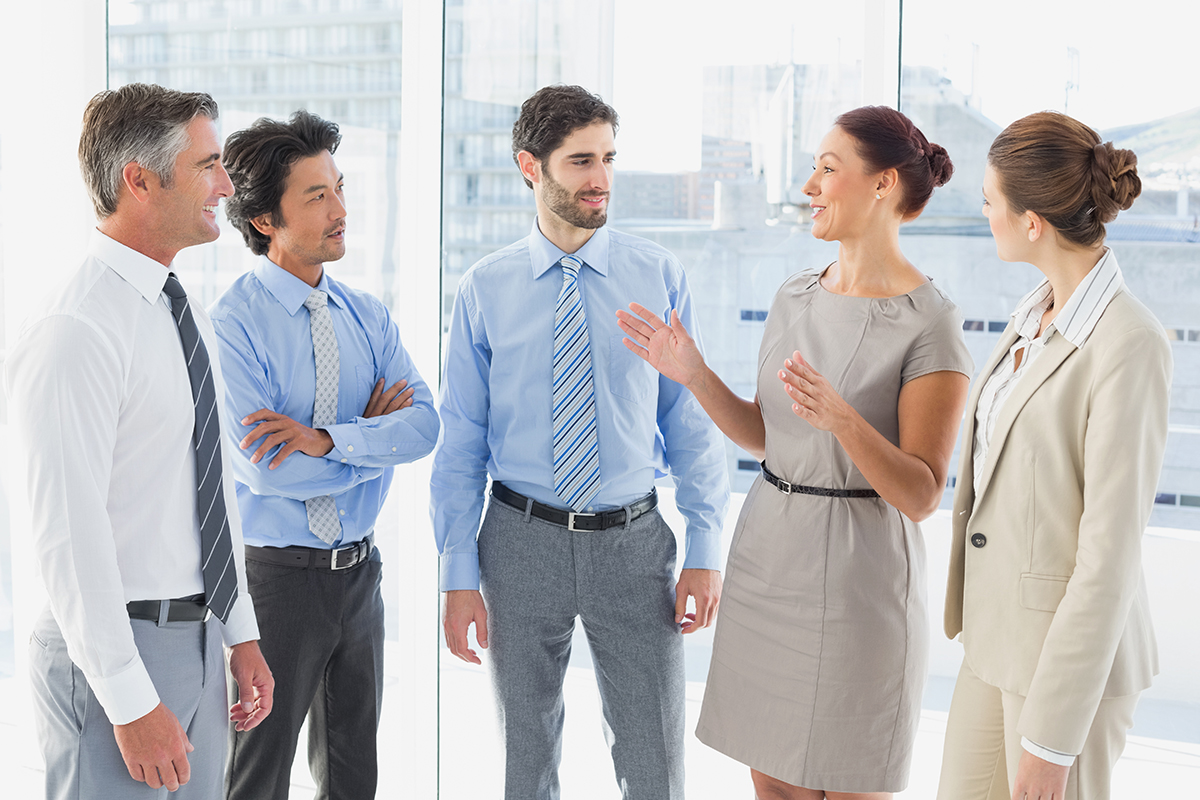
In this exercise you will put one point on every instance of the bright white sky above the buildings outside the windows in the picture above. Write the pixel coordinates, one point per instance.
(1133, 59)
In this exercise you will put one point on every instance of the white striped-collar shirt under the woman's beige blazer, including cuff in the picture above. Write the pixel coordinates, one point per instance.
(1076, 322)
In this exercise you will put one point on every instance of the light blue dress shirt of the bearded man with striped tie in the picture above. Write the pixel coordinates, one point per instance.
(497, 388)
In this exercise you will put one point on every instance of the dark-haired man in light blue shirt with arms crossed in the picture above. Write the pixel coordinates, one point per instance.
(323, 402)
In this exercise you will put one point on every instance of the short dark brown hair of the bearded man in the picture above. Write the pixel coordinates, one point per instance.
(555, 113)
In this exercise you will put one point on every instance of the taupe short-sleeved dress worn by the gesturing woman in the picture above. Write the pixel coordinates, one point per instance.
(821, 643)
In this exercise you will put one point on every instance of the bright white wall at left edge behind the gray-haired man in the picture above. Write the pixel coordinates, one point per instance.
(47, 216)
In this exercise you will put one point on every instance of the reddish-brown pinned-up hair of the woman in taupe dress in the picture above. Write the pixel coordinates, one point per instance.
(887, 140)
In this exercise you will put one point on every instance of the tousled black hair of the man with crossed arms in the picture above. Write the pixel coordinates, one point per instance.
(260, 160)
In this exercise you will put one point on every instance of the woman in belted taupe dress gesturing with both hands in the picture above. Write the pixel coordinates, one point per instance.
(820, 652)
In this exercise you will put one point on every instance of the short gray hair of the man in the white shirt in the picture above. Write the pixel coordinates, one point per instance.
(139, 123)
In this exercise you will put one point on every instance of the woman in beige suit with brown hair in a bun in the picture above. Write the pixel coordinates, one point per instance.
(1065, 436)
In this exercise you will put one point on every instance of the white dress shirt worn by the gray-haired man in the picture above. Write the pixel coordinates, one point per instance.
(103, 404)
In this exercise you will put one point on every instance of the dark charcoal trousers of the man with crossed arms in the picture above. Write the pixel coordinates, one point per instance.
(322, 636)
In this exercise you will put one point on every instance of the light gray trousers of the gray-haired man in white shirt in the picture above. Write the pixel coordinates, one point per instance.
(187, 665)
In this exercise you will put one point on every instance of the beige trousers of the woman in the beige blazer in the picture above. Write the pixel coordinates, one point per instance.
(983, 747)
